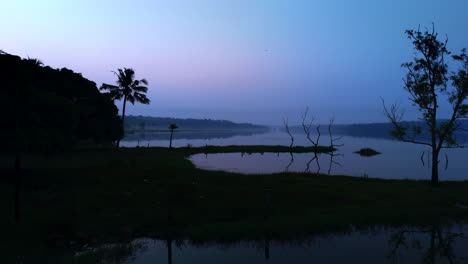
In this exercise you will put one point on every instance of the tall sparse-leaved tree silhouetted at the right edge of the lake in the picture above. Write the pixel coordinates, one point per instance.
(428, 82)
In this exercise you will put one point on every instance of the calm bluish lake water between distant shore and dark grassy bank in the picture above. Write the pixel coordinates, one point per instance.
(398, 160)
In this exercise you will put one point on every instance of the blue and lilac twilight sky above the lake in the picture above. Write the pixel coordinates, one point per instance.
(253, 61)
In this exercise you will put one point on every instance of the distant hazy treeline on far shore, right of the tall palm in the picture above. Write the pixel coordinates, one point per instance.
(148, 122)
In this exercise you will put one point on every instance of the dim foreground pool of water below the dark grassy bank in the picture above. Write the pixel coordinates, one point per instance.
(431, 244)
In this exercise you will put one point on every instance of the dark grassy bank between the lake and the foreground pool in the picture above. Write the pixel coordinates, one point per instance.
(103, 194)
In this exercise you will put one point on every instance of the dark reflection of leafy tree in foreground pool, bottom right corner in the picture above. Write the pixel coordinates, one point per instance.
(440, 244)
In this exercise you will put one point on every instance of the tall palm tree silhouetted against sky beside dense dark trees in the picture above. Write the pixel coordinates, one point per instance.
(127, 88)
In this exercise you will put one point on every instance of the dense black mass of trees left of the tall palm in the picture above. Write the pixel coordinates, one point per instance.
(46, 109)
